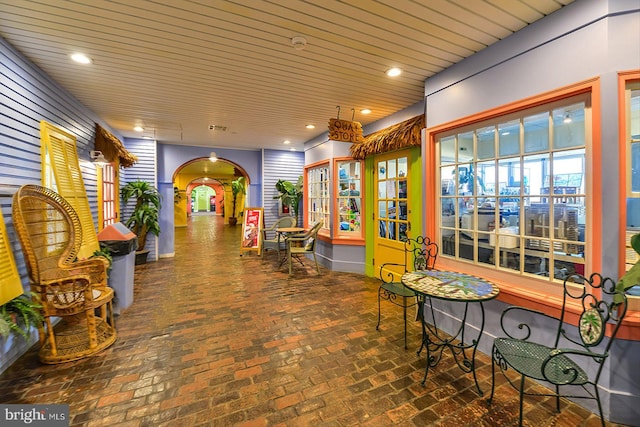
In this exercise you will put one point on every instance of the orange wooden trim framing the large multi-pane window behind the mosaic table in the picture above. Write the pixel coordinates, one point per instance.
(526, 291)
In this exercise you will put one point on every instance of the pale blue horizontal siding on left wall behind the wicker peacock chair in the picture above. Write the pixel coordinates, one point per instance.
(27, 96)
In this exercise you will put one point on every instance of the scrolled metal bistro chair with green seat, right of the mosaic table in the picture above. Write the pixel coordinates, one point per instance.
(562, 363)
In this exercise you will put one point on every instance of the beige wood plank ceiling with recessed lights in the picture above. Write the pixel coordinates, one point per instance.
(176, 67)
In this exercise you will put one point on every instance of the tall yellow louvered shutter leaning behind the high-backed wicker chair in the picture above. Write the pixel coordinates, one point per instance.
(60, 148)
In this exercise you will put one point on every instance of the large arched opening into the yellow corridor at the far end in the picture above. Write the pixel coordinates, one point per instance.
(213, 181)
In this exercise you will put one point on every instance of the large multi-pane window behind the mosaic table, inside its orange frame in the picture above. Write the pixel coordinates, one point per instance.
(512, 190)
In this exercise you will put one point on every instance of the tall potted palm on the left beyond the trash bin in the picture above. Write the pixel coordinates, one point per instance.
(146, 213)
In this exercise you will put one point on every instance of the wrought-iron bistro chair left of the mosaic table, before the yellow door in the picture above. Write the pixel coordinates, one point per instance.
(419, 254)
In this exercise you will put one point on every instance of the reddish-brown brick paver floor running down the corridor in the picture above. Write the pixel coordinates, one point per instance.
(218, 339)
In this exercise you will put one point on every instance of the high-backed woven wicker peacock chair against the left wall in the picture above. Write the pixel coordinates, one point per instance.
(73, 290)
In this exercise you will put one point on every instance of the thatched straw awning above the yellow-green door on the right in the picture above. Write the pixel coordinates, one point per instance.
(401, 135)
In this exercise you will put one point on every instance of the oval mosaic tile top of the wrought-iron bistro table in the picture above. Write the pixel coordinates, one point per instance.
(450, 285)
